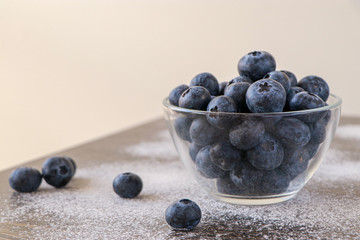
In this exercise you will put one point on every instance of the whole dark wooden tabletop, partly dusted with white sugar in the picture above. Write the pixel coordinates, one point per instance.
(220, 220)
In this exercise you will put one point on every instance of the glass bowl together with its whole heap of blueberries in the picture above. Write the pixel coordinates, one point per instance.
(254, 144)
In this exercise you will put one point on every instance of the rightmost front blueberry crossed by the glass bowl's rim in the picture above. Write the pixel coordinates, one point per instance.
(304, 101)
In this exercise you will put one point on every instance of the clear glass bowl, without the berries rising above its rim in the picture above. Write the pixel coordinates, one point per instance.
(253, 158)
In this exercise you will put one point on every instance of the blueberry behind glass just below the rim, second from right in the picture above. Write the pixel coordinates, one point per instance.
(292, 132)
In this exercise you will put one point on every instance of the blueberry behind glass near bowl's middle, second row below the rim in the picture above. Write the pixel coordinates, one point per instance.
(268, 155)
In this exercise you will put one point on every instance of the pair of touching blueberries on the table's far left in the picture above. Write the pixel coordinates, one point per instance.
(56, 171)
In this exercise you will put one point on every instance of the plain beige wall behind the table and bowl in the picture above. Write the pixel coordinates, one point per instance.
(72, 71)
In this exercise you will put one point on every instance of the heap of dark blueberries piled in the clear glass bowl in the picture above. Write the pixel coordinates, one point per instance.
(252, 154)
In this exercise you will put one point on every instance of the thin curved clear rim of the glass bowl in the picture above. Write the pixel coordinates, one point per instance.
(336, 104)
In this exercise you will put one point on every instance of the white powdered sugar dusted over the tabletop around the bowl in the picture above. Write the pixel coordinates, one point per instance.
(89, 209)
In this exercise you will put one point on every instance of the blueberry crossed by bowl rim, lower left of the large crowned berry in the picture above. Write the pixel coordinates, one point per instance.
(216, 107)
